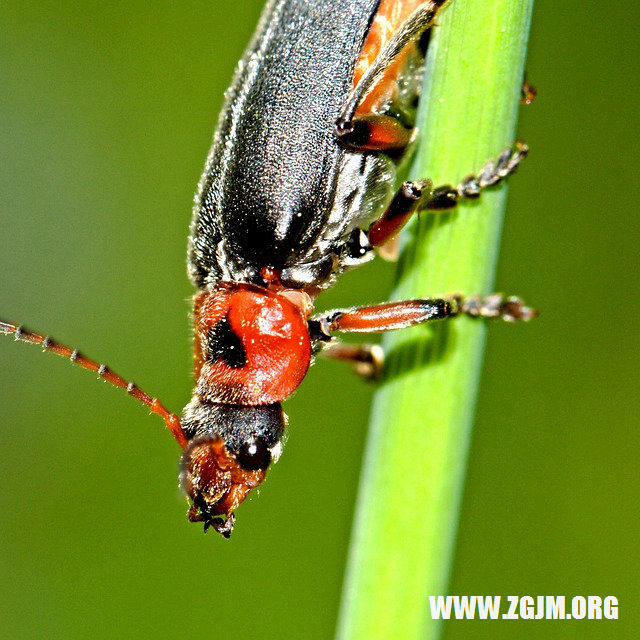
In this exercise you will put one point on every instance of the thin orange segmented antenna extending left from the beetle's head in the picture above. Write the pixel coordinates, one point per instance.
(171, 420)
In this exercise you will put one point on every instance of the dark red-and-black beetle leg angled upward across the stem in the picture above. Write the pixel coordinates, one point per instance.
(419, 195)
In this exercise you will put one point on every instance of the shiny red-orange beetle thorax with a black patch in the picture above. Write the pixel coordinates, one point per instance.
(252, 345)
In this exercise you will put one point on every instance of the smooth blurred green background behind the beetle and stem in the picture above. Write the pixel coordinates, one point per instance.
(107, 113)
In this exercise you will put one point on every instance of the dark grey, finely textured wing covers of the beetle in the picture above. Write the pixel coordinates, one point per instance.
(276, 172)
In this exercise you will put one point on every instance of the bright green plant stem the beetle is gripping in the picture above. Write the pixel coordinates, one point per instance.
(413, 475)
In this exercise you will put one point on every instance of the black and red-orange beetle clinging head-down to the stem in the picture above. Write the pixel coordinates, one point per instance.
(299, 186)
